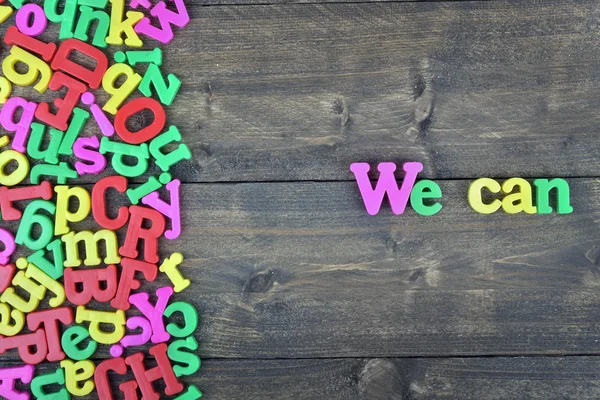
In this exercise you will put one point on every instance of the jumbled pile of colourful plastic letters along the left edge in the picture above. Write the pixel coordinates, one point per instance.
(68, 295)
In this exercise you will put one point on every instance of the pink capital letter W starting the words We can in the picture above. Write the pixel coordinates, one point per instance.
(386, 184)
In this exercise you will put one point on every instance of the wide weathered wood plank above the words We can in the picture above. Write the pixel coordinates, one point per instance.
(298, 92)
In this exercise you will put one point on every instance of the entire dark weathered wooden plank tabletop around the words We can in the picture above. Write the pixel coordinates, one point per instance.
(302, 294)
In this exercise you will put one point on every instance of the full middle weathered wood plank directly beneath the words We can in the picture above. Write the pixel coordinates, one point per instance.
(293, 270)
